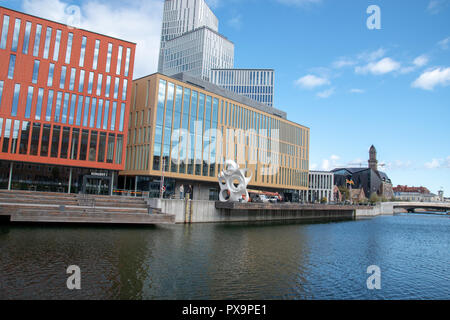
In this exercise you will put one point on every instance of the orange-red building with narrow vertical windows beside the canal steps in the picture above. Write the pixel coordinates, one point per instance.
(64, 105)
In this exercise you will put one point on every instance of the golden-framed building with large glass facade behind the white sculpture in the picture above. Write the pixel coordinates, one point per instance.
(183, 129)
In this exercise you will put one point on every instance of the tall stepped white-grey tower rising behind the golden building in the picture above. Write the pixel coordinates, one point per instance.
(190, 40)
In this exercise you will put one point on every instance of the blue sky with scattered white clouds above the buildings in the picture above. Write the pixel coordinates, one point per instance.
(351, 85)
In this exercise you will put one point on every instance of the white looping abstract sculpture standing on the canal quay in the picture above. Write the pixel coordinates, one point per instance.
(233, 183)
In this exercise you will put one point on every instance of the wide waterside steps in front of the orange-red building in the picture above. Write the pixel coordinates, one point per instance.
(26, 206)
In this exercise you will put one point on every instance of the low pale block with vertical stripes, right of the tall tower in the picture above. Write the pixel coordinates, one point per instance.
(256, 84)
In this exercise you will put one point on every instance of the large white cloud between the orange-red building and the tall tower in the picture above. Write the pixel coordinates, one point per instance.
(137, 21)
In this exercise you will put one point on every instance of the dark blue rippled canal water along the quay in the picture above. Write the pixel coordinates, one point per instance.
(232, 261)
